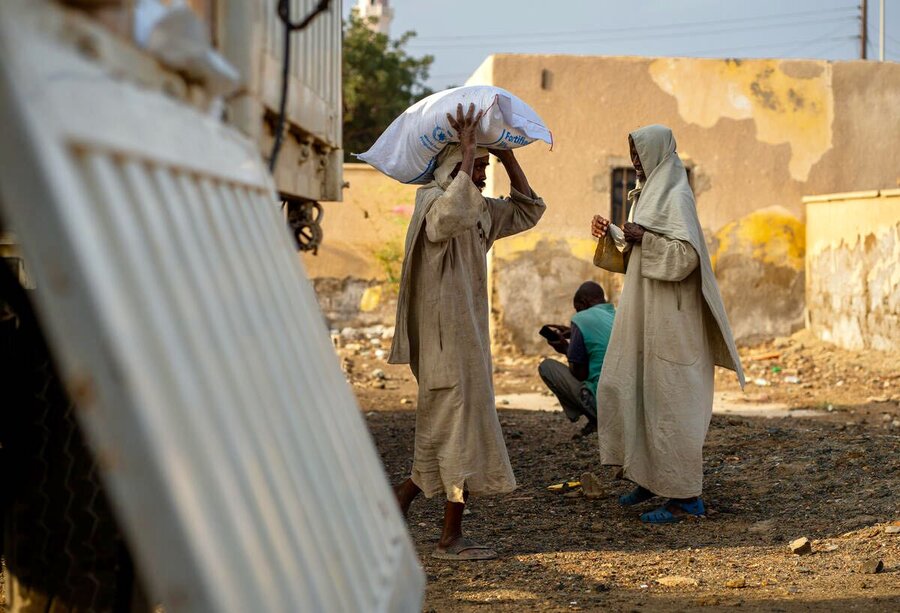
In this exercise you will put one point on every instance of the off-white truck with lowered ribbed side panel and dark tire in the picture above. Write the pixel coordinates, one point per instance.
(176, 432)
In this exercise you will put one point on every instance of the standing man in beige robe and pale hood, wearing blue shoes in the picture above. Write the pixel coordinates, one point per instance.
(655, 394)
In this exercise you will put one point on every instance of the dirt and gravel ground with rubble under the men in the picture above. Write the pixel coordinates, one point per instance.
(833, 478)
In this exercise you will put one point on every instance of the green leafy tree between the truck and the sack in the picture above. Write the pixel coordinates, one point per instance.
(380, 81)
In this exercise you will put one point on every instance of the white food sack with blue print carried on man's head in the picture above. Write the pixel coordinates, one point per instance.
(408, 149)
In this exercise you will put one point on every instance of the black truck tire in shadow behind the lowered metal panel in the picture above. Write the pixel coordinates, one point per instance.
(62, 549)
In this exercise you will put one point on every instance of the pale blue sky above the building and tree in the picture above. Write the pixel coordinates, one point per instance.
(461, 33)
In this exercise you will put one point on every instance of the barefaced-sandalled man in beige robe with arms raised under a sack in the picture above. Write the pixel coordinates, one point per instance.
(442, 331)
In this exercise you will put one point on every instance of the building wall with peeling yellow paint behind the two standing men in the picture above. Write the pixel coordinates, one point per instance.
(757, 134)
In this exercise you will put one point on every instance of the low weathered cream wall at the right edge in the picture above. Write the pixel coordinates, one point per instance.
(853, 269)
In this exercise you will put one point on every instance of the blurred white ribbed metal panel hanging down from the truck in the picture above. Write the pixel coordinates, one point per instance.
(233, 448)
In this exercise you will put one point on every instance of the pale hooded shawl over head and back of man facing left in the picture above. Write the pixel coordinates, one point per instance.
(666, 206)
